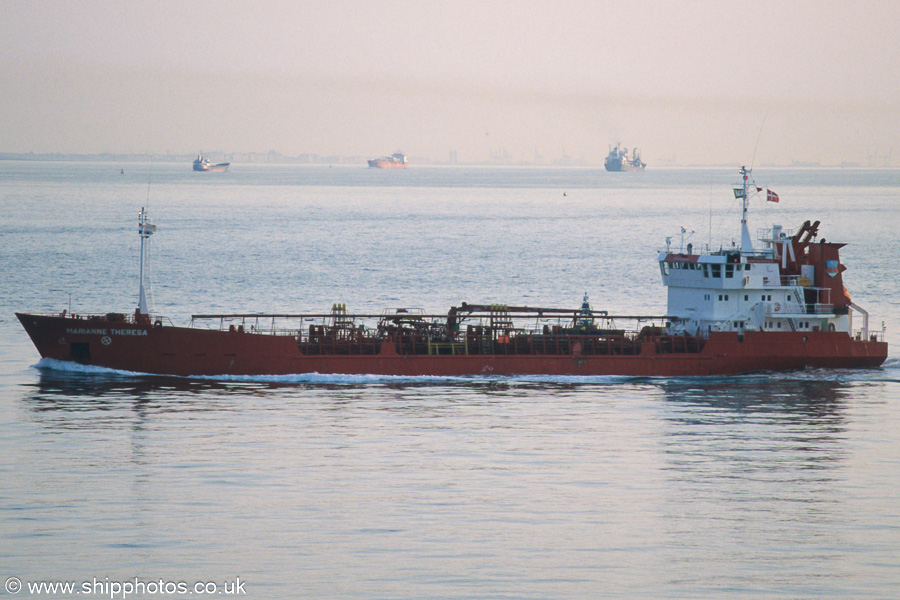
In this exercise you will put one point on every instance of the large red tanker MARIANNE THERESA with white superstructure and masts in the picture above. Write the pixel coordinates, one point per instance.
(776, 305)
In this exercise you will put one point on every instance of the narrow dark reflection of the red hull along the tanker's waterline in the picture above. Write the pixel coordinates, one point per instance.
(785, 393)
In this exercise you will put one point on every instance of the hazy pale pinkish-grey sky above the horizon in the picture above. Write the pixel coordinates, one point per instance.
(694, 82)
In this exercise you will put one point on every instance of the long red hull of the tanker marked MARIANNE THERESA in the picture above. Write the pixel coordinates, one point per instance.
(182, 351)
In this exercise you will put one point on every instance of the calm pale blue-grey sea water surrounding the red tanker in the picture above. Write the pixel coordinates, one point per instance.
(761, 486)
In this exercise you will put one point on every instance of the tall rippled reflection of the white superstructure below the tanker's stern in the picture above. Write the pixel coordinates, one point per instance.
(755, 471)
